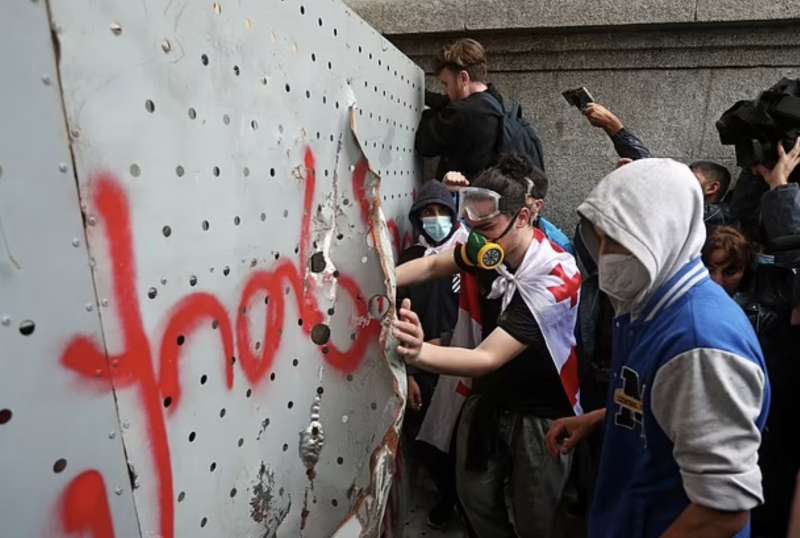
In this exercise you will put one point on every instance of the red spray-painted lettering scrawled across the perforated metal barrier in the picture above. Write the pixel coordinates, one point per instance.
(160, 392)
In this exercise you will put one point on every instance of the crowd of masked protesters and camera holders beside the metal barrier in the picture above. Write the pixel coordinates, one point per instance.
(633, 378)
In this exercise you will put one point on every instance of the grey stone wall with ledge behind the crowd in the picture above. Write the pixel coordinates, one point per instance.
(668, 69)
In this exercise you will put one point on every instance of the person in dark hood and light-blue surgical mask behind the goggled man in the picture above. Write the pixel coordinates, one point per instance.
(433, 217)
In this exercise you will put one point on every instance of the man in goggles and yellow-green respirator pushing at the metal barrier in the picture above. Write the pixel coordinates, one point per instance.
(524, 368)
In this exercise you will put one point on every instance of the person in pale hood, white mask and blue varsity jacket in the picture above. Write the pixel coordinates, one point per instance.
(690, 393)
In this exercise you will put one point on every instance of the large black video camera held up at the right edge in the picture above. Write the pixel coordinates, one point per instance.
(756, 127)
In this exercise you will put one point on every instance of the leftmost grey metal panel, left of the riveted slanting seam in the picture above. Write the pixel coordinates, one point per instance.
(61, 457)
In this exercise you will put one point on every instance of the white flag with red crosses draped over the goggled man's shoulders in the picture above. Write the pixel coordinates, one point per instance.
(549, 282)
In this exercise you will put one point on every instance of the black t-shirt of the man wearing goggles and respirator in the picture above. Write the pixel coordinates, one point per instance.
(529, 382)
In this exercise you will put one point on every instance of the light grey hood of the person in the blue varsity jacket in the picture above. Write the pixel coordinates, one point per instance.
(653, 208)
